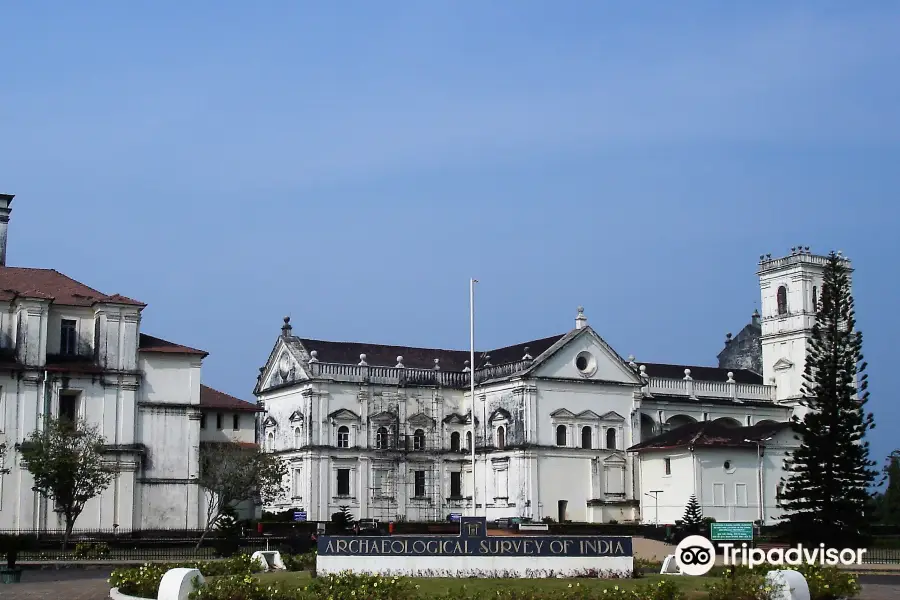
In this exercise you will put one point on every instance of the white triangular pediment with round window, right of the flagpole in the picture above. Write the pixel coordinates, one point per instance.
(585, 356)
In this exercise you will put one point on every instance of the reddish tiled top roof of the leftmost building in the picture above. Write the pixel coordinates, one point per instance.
(49, 284)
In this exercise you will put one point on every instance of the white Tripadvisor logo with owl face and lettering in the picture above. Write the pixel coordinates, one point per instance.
(696, 555)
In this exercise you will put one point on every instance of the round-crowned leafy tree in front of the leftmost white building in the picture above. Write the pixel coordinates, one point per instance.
(66, 461)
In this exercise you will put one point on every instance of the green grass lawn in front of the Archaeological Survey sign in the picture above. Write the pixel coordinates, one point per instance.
(693, 586)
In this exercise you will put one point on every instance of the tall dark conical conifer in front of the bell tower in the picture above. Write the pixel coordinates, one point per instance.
(826, 498)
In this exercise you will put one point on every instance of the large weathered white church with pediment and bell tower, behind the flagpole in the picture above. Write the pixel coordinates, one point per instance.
(564, 427)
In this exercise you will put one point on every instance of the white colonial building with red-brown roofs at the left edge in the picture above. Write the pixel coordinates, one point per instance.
(70, 351)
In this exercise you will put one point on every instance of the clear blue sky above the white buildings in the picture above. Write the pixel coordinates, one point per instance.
(353, 164)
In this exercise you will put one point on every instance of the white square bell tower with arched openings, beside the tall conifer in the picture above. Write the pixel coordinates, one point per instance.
(790, 287)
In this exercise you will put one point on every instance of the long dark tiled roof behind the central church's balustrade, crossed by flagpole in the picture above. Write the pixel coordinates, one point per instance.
(381, 355)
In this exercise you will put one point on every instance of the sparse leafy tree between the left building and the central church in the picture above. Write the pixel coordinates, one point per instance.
(232, 473)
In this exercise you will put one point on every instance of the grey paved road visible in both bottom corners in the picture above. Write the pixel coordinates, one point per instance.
(78, 584)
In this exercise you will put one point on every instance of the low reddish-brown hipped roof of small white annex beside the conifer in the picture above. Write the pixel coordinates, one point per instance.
(710, 434)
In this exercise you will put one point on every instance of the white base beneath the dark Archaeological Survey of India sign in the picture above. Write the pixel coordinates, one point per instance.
(479, 566)
